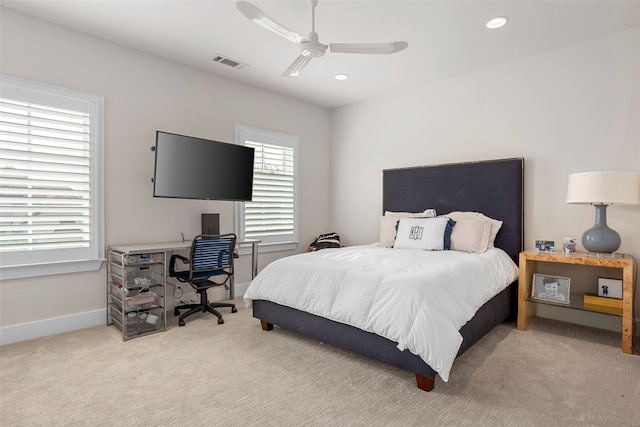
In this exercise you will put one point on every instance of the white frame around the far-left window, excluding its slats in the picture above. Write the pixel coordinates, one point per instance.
(23, 264)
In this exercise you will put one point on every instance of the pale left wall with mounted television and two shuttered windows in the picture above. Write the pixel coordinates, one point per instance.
(144, 93)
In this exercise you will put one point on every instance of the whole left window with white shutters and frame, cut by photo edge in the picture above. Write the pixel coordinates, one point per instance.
(51, 180)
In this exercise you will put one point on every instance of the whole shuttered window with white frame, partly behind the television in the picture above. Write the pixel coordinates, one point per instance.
(272, 214)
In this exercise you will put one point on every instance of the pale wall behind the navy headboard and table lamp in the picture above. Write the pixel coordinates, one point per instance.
(569, 110)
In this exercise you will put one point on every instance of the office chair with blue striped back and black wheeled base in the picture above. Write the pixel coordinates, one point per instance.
(210, 265)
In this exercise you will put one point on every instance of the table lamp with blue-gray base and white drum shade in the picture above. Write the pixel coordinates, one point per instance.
(601, 189)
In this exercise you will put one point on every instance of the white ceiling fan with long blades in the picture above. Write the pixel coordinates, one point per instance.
(311, 47)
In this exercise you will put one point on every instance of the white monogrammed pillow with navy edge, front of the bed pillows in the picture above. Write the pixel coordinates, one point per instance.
(423, 233)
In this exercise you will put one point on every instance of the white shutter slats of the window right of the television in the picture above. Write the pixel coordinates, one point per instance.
(271, 210)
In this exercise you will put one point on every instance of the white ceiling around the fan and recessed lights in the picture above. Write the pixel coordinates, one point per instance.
(446, 37)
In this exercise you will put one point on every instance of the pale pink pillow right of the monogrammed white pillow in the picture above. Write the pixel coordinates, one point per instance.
(474, 232)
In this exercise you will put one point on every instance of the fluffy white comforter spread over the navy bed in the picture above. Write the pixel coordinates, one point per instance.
(419, 299)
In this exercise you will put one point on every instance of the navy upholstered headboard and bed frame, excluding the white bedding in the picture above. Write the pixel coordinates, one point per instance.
(494, 188)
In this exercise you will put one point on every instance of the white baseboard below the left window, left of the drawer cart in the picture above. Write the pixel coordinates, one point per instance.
(54, 326)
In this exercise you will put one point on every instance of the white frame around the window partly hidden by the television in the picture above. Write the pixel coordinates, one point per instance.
(245, 133)
